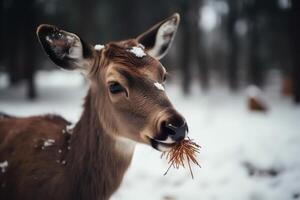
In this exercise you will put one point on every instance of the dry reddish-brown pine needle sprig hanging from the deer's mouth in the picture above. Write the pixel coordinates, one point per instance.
(184, 151)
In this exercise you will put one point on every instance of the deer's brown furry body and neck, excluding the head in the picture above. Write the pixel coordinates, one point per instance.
(36, 173)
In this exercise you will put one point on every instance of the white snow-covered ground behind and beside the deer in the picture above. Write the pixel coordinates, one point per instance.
(231, 138)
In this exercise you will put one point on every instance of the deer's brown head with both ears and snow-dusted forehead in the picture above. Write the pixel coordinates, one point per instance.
(127, 81)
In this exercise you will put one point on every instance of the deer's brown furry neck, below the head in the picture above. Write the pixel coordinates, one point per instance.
(95, 163)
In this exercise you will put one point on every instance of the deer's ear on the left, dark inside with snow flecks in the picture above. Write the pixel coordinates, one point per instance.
(65, 49)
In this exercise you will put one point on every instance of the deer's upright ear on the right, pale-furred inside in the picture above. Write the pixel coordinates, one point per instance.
(158, 39)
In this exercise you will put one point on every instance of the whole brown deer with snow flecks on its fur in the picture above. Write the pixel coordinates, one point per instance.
(46, 157)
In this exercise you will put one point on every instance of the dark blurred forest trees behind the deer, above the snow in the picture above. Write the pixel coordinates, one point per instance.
(237, 42)
